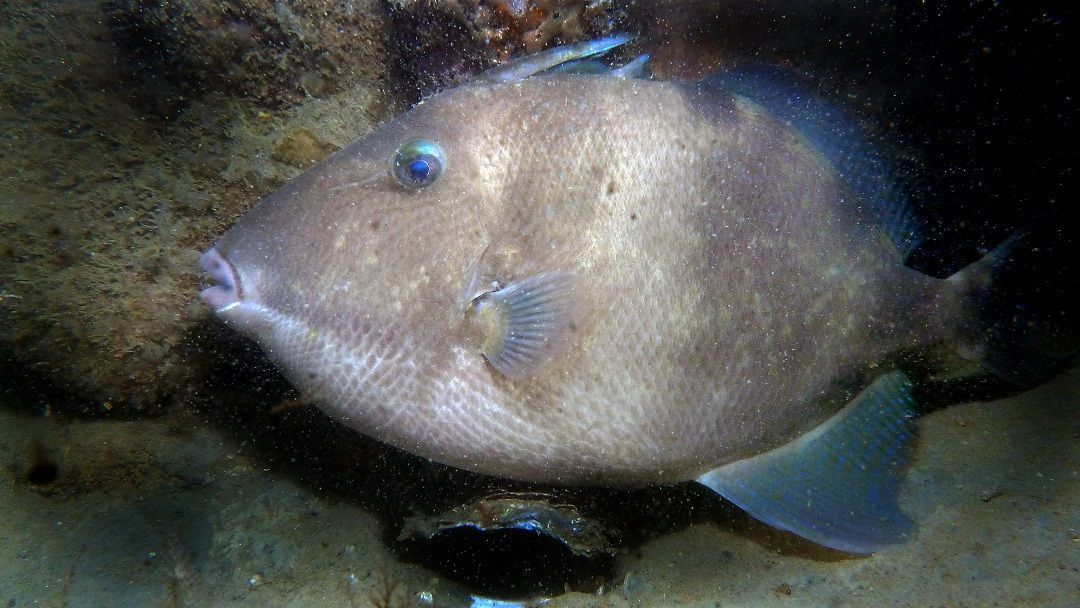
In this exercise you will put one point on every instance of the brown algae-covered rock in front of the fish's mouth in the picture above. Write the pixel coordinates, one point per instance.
(105, 205)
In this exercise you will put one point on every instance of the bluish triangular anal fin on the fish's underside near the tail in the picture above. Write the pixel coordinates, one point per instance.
(840, 484)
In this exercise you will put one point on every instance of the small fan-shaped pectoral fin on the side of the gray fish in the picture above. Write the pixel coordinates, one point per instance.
(526, 325)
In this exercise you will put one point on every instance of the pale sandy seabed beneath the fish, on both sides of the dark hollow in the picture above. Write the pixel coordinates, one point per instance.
(172, 512)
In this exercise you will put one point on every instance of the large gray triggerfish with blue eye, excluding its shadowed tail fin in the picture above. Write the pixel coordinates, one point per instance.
(558, 276)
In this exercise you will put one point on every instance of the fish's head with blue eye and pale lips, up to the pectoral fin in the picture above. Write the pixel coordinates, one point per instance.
(360, 278)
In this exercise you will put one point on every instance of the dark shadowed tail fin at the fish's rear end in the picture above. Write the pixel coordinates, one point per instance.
(1020, 318)
